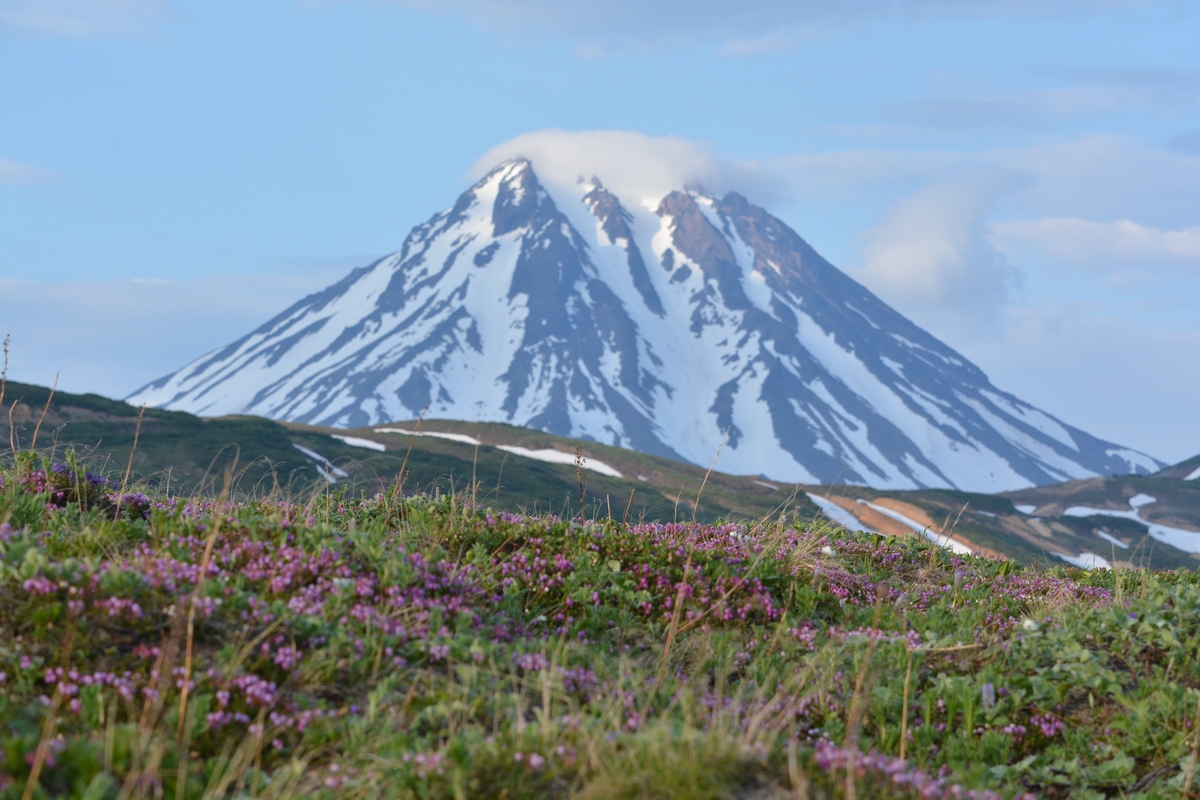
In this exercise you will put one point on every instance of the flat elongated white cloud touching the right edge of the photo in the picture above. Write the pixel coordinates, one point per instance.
(1088, 243)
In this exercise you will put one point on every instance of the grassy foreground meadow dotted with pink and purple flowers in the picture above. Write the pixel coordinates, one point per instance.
(401, 647)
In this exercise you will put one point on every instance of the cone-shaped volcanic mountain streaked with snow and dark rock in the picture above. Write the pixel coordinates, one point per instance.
(655, 324)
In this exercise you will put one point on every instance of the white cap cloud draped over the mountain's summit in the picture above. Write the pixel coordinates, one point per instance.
(633, 165)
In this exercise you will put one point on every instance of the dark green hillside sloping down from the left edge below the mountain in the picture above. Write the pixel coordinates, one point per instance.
(185, 454)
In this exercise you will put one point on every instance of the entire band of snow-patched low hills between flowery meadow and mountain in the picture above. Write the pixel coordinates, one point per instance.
(1089, 522)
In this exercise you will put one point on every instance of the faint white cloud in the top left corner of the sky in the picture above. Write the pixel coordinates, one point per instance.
(86, 19)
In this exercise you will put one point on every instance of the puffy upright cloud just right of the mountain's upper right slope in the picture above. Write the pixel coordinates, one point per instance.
(931, 256)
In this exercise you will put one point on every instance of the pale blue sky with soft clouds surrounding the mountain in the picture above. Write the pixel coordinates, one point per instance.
(1021, 178)
